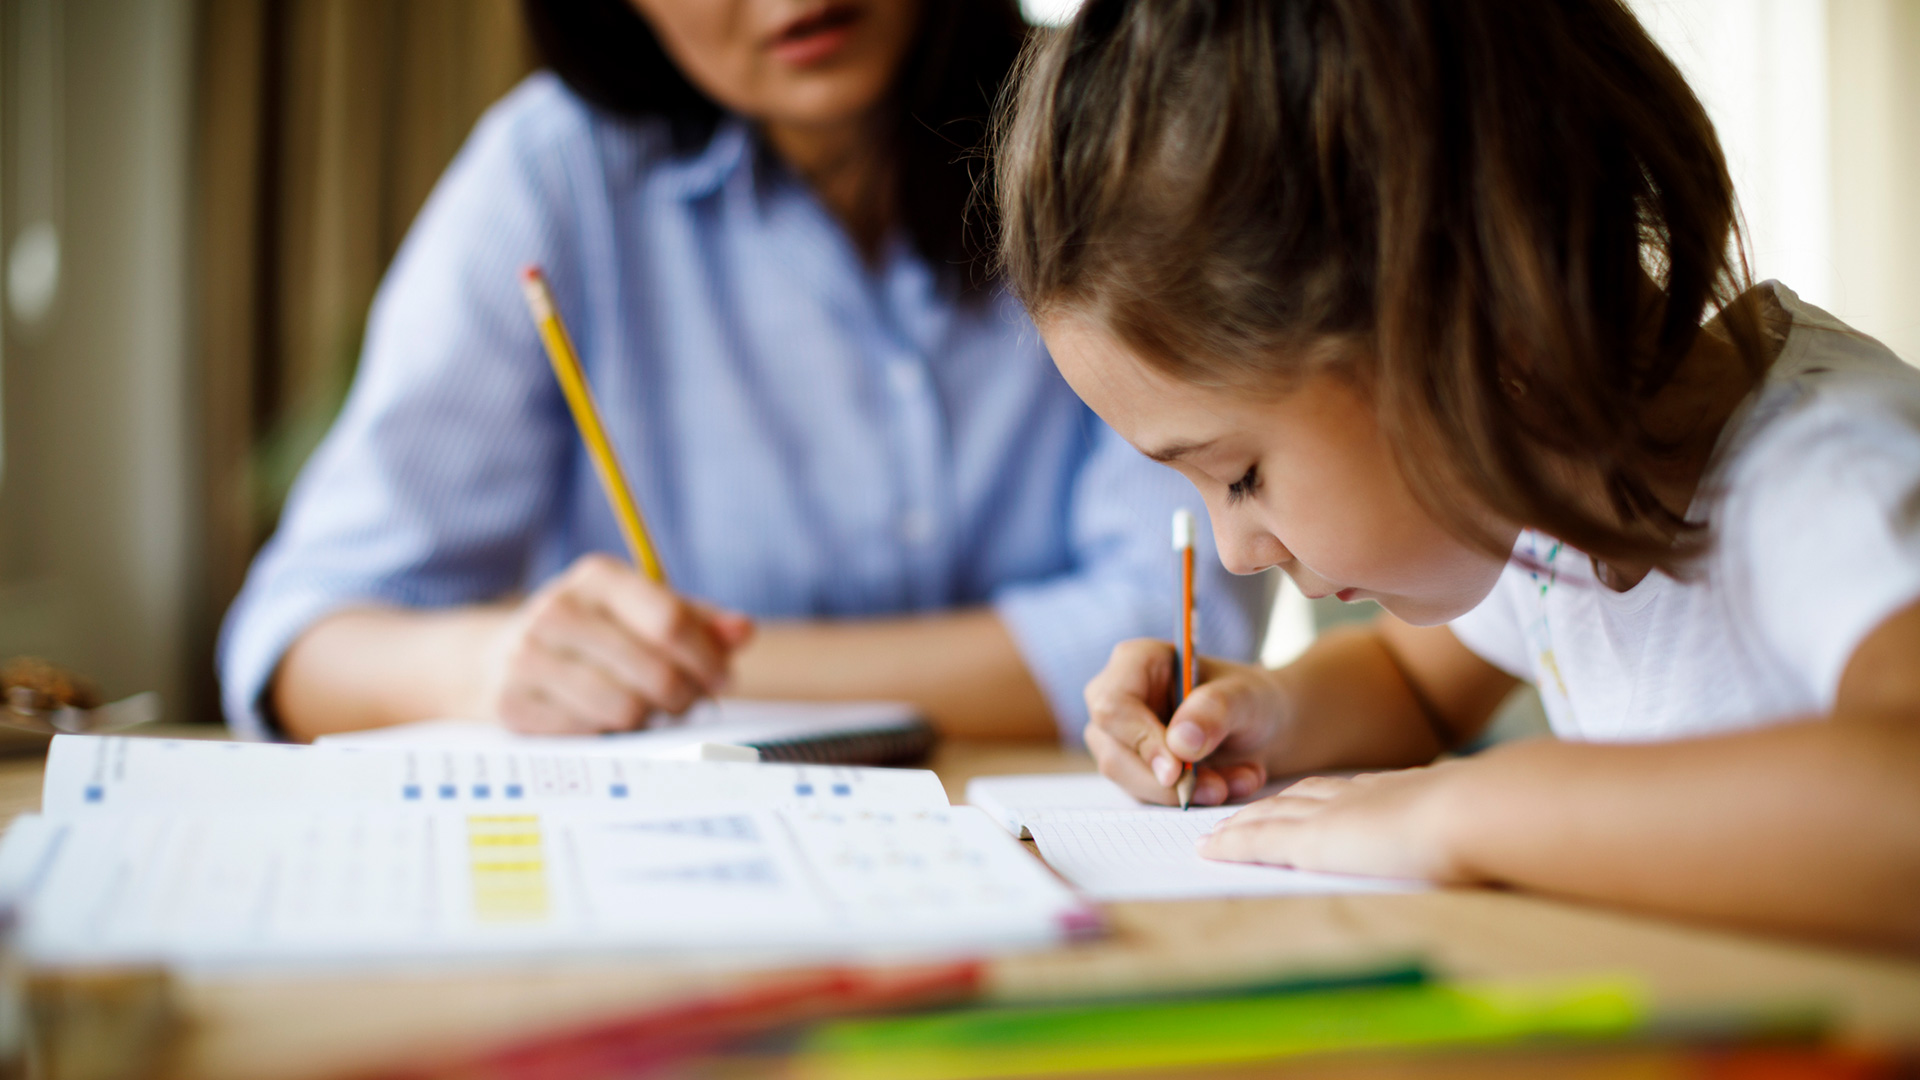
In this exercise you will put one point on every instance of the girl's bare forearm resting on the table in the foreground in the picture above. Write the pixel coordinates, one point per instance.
(1810, 827)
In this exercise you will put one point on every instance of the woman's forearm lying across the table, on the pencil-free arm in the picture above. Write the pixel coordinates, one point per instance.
(961, 670)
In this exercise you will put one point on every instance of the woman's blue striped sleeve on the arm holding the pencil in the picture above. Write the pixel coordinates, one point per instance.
(443, 462)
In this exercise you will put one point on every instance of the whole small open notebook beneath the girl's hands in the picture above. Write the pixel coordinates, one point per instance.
(1113, 847)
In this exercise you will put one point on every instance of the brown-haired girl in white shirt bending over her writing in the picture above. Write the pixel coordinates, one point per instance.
(1435, 305)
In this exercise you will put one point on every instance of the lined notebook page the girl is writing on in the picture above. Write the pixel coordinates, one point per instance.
(1149, 854)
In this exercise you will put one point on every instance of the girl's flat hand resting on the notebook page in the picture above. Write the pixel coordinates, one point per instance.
(1391, 825)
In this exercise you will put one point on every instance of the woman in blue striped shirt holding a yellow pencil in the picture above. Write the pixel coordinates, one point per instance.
(865, 478)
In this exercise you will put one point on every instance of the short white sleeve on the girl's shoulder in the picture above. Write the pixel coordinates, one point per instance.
(1821, 535)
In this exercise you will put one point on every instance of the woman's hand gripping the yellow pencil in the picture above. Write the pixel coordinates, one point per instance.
(602, 647)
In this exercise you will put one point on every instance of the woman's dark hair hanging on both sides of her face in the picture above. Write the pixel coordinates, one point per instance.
(608, 55)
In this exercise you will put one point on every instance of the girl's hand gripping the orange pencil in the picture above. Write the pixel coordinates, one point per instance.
(1230, 722)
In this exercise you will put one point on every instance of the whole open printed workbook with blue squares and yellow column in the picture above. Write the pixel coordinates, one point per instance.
(204, 854)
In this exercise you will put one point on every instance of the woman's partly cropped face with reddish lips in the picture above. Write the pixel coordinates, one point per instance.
(788, 62)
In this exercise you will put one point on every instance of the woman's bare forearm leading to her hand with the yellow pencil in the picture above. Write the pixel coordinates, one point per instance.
(379, 666)
